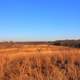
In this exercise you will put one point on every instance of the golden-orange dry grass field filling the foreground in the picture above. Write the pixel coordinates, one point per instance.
(39, 62)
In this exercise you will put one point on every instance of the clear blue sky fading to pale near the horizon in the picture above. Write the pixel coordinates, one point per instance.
(39, 19)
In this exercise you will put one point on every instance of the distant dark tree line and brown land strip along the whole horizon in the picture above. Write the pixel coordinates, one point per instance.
(69, 43)
